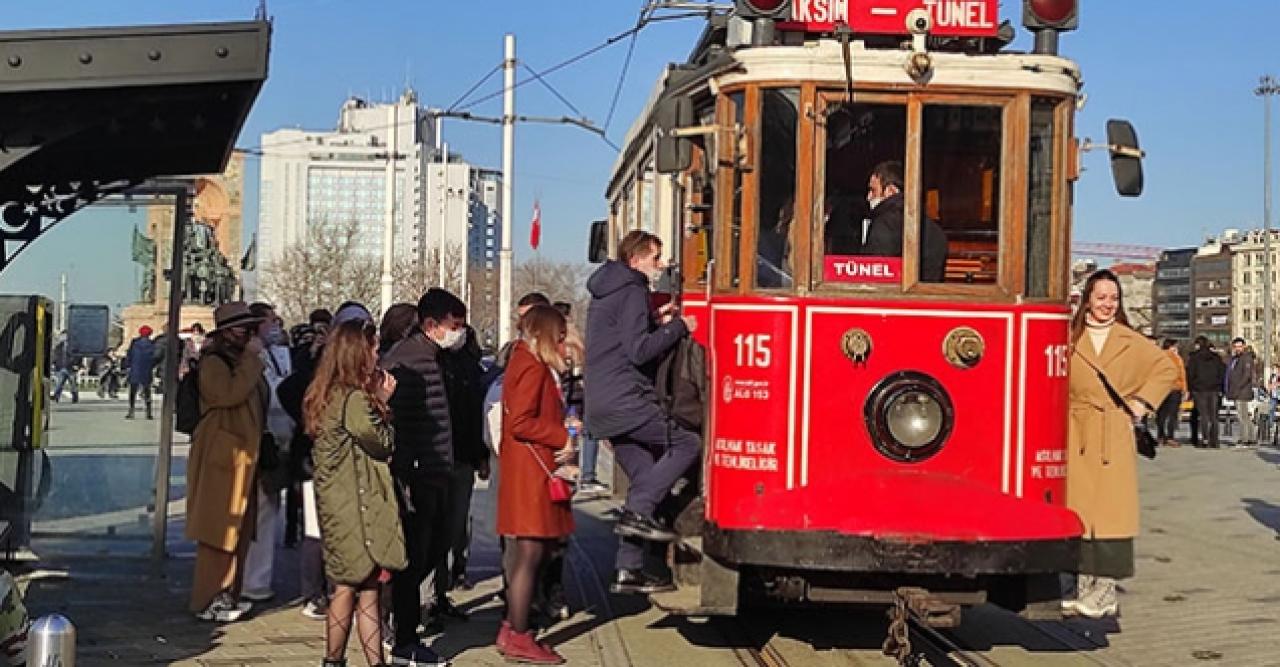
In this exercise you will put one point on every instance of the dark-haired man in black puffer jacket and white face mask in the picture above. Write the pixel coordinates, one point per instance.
(424, 458)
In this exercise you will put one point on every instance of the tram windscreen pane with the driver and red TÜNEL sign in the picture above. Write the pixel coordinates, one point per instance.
(862, 138)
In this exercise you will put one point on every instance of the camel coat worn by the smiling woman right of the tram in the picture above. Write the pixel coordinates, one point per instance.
(1103, 462)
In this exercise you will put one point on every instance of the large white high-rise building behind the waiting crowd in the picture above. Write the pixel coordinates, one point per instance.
(446, 222)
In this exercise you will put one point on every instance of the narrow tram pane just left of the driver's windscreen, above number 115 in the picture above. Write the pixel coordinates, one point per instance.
(779, 117)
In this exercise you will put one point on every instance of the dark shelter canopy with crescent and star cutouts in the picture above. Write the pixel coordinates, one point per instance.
(93, 112)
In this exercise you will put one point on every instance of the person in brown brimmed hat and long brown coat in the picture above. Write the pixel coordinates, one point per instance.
(223, 464)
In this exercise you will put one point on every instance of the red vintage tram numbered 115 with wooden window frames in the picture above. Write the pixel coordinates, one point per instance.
(874, 423)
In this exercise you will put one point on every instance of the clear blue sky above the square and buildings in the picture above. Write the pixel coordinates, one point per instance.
(1185, 74)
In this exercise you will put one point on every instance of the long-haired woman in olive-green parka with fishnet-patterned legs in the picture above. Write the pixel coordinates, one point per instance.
(346, 413)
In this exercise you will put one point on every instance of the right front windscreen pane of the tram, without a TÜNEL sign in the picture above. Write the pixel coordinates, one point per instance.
(961, 189)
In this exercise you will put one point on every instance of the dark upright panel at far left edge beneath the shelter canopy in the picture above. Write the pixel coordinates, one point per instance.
(26, 325)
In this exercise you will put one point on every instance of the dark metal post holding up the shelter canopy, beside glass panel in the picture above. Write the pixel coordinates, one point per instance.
(164, 458)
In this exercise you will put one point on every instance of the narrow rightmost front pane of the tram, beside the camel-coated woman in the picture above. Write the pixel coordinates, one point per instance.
(1040, 197)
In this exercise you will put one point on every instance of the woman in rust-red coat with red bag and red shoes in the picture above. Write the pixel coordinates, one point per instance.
(533, 431)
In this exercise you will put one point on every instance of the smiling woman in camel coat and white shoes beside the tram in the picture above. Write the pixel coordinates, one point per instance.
(1103, 464)
